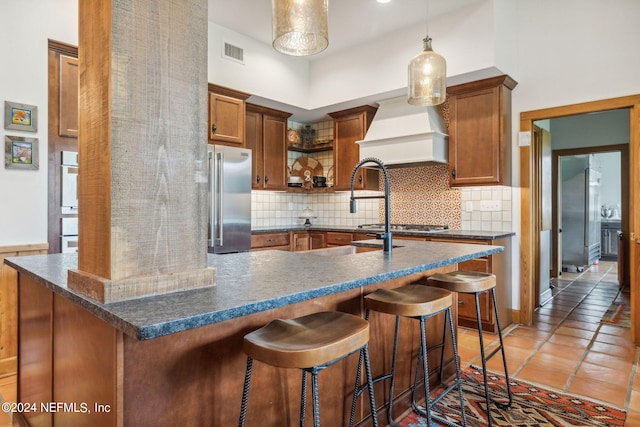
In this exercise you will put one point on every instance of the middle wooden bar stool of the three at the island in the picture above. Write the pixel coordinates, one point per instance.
(417, 302)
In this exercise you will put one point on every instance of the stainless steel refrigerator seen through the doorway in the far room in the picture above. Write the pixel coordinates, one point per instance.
(580, 211)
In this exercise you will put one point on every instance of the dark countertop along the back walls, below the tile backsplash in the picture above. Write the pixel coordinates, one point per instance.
(458, 234)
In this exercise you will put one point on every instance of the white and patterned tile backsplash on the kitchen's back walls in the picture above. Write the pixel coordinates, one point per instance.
(419, 195)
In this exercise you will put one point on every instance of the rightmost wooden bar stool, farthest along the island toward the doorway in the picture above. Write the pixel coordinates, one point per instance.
(476, 283)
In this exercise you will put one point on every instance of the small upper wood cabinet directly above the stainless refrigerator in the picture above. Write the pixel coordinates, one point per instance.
(226, 116)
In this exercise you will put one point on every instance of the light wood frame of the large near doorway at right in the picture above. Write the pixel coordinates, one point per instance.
(530, 202)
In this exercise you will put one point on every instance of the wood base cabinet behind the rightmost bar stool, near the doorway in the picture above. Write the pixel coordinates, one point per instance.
(497, 264)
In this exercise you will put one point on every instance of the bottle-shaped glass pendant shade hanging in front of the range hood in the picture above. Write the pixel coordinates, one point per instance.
(427, 77)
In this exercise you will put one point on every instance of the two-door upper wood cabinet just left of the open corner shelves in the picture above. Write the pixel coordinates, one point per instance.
(266, 131)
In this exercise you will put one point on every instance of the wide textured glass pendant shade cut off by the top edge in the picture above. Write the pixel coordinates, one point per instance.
(300, 26)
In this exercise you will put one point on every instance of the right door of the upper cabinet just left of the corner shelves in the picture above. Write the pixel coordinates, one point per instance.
(274, 152)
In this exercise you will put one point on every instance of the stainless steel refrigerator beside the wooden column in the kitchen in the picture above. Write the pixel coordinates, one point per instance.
(229, 199)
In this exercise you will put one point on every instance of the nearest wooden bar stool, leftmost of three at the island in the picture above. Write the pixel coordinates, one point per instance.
(310, 343)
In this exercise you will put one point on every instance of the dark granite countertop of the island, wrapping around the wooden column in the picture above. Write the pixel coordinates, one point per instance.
(250, 282)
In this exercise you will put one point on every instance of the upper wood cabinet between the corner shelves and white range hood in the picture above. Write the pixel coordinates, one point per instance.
(351, 126)
